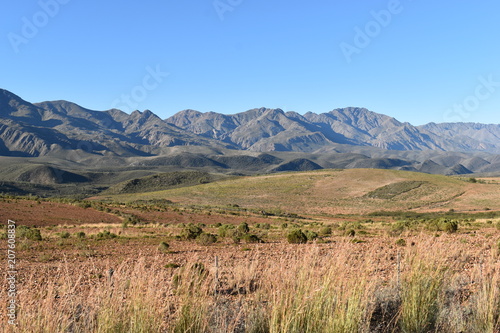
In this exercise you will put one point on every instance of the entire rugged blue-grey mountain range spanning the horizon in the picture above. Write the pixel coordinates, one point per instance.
(257, 140)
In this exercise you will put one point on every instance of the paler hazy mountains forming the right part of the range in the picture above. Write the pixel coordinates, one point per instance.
(274, 130)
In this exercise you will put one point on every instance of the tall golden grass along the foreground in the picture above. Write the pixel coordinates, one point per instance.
(437, 285)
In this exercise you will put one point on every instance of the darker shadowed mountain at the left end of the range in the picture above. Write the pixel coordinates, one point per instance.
(39, 129)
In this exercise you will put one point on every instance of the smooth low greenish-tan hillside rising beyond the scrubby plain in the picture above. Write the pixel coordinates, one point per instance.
(355, 191)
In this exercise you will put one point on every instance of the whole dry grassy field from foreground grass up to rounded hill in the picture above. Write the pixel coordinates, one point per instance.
(324, 251)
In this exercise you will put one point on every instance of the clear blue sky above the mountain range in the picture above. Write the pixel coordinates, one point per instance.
(423, 63)
